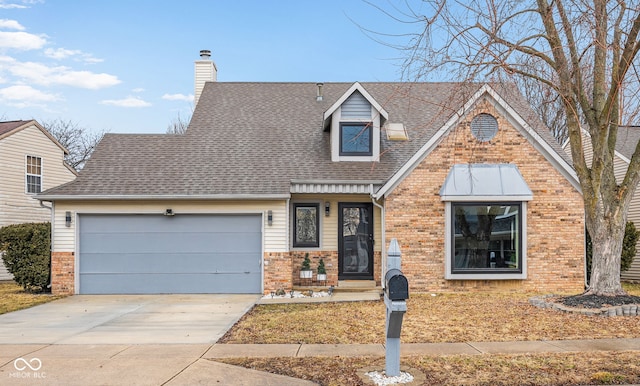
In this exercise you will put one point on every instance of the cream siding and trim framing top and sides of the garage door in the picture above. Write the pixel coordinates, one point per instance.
(275, 235)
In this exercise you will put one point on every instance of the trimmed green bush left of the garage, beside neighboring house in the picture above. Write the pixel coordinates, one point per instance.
(27, 254)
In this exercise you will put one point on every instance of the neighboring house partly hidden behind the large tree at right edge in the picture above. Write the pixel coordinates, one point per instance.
(626, 141)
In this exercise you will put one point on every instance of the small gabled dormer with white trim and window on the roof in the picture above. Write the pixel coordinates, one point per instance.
(354, 122)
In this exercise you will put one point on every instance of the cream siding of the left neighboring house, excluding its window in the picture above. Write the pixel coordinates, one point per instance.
(17, 206)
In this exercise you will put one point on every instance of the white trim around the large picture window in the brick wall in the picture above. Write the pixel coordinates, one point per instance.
(483, 276)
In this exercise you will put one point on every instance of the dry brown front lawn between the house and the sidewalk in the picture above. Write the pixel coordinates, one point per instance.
(469, 317)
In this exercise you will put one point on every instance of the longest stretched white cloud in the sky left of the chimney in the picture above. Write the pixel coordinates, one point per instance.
(43, 75)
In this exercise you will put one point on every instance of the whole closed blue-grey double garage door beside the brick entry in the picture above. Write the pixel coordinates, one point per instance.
(144, 254)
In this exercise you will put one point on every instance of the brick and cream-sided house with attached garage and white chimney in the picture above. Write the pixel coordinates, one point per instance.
(473, 187)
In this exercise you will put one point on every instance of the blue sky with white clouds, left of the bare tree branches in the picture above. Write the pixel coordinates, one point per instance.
(128, 66)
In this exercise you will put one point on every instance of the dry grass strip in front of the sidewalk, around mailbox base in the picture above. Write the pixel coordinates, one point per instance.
(544, 369)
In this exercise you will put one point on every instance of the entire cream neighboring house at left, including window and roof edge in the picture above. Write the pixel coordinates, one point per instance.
(32, 161)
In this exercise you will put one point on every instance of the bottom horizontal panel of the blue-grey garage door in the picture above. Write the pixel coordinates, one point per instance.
(171, 283)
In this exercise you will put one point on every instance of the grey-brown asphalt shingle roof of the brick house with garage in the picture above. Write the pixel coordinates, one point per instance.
(255, 138)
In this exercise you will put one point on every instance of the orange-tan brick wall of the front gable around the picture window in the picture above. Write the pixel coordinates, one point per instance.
(555, 224)
